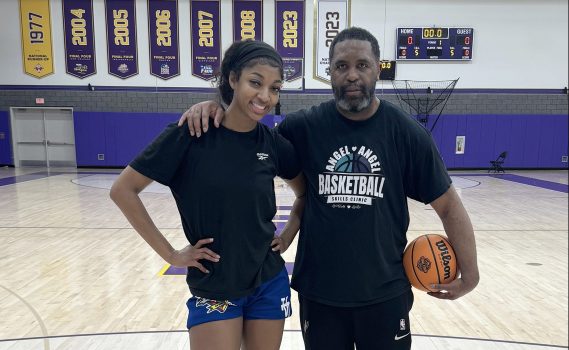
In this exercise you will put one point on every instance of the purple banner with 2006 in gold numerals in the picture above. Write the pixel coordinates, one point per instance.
(163, 38)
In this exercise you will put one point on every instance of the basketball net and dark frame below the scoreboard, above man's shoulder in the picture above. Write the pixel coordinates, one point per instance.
(424, 98)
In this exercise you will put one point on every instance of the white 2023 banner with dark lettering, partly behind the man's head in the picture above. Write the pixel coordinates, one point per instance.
(332, 16)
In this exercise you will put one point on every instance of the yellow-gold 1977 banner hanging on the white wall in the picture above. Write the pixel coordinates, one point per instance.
(37, 53)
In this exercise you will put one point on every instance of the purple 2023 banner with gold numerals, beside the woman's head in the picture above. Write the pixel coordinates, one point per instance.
(289, 34)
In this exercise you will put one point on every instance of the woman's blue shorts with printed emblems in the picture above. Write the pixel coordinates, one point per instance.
(269, 301)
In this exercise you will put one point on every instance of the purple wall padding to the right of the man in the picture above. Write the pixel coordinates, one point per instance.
(532, 141)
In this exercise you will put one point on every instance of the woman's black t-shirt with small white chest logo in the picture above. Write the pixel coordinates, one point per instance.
(223, 187)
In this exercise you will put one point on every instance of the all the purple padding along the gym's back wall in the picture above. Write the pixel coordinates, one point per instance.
(532, 141)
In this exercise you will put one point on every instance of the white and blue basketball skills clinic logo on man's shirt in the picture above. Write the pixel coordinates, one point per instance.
(353, 176)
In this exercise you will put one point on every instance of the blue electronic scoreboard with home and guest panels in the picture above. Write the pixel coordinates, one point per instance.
(434, 43)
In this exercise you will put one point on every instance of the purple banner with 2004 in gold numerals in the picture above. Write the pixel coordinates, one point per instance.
(79, 38)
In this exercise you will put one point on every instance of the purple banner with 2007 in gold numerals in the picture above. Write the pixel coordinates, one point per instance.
(206, 38)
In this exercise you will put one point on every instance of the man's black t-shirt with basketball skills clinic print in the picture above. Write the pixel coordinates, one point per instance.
(359, 175)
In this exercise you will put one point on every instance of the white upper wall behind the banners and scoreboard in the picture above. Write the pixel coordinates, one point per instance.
(517, 43)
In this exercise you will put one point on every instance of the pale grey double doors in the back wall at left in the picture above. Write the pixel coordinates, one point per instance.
(43, 137)
